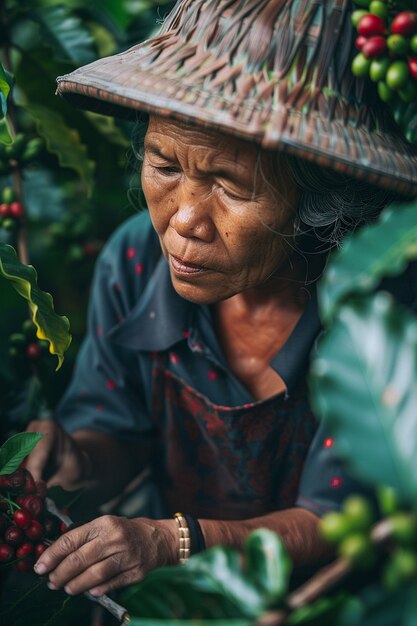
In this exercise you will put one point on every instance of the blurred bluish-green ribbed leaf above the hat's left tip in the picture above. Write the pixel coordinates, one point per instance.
(65, 33)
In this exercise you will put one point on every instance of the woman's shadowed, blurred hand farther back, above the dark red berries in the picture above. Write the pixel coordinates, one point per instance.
(57, 457)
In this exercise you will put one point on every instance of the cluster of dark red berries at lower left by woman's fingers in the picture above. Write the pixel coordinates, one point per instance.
(26, 527)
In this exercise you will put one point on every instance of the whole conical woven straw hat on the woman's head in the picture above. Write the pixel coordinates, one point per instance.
(277, 72)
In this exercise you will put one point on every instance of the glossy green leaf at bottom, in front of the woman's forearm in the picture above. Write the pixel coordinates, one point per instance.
(215, 584)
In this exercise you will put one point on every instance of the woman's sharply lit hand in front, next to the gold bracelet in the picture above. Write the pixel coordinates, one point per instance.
(108, 553)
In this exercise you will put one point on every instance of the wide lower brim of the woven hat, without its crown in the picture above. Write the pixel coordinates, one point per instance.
(380, 157)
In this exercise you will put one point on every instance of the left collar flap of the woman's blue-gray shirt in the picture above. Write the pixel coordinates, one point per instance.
(160, 318)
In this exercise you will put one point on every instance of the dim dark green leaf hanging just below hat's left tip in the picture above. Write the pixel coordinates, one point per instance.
(64, 142)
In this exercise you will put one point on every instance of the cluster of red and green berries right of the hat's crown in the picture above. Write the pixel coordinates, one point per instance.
(387, 41)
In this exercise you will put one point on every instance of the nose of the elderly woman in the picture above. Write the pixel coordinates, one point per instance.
(193, 217)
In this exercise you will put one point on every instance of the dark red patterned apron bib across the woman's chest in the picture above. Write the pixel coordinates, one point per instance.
(224, 462)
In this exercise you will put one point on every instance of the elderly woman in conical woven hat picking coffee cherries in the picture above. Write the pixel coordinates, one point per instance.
(258, 156)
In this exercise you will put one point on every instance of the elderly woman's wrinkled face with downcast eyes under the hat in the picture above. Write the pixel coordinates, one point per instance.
(215, 203)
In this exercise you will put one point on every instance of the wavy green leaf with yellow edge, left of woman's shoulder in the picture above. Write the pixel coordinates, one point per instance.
(50, 326)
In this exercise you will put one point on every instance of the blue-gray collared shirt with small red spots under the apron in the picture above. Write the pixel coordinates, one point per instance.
(134, 313)
